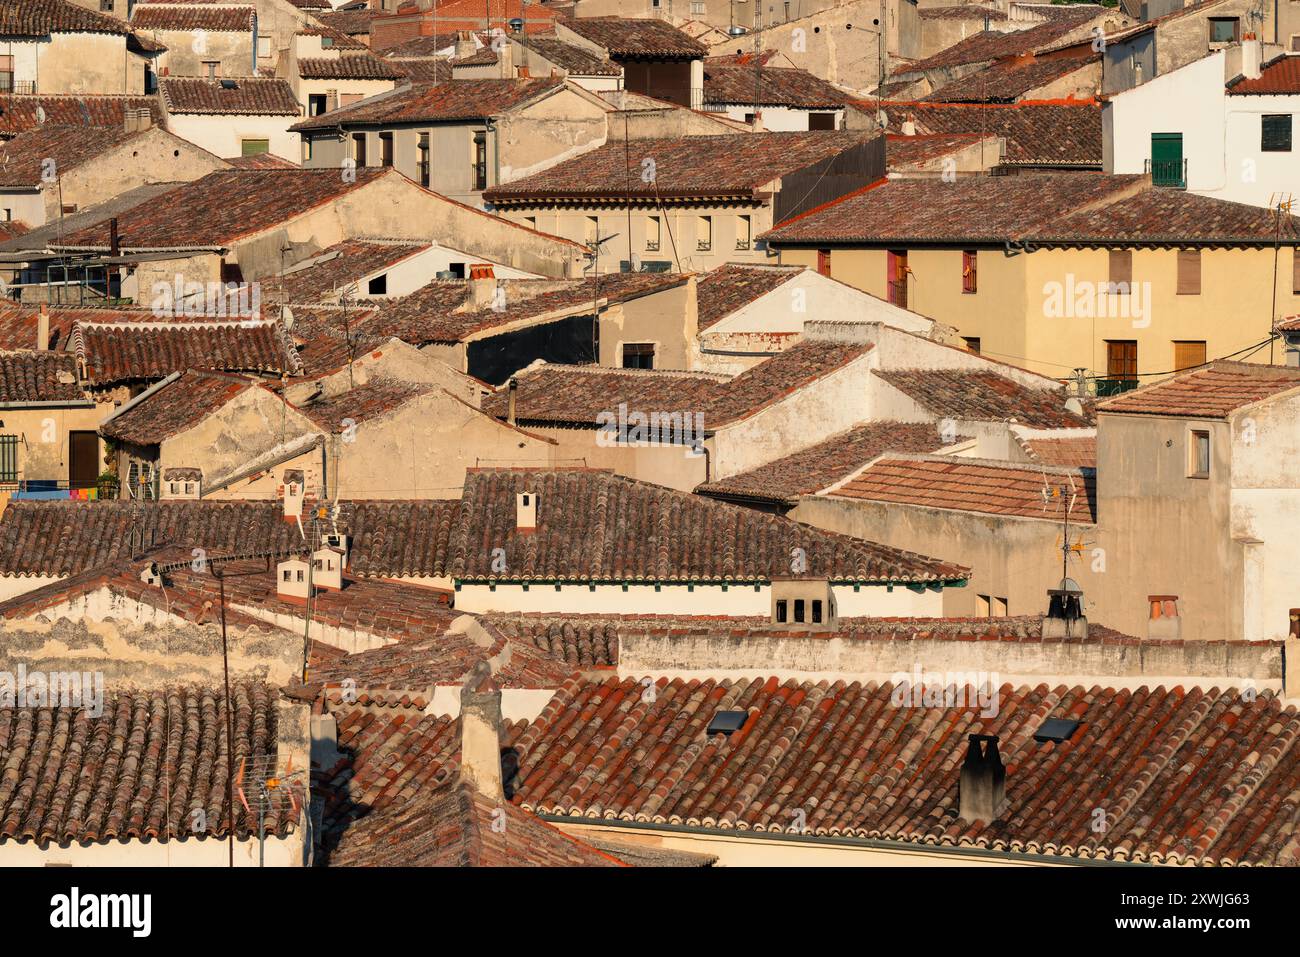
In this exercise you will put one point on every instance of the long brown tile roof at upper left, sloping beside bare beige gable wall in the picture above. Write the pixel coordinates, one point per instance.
(223, 207)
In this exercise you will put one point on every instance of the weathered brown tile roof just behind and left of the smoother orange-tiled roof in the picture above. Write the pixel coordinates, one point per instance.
(812, 470)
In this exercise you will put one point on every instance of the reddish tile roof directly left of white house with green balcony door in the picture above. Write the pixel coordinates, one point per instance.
(1038, 135)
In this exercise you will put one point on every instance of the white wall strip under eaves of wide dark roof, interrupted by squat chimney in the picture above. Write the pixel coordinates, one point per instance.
(873, 601)
